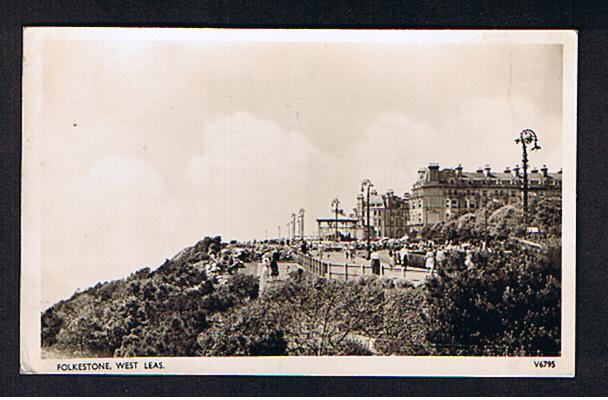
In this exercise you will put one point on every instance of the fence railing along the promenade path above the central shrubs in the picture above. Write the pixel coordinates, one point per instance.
(345, 271)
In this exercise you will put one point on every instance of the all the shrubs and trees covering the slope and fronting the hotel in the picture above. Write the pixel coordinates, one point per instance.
(504, 302)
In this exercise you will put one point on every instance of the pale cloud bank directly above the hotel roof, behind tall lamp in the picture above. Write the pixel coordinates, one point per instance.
(394, 145)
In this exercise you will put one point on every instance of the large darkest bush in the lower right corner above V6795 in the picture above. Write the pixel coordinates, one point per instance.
(506, 305)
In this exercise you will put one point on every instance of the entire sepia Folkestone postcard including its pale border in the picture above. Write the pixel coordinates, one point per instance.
(312, 202)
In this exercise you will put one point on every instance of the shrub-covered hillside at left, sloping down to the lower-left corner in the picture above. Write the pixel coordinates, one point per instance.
(158, 312)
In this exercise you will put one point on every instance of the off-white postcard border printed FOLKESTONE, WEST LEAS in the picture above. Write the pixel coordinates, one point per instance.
(31, 361)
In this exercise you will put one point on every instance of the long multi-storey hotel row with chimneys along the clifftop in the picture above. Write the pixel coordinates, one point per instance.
(440, 194)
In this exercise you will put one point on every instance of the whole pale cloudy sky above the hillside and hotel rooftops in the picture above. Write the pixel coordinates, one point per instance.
(148, 146)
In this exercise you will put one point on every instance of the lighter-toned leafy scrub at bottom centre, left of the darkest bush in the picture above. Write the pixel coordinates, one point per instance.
(314, 316)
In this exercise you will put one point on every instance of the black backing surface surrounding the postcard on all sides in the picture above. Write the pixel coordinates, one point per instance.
(589, 18)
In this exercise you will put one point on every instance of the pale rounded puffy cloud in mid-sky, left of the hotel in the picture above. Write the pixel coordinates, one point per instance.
(250, 174)
